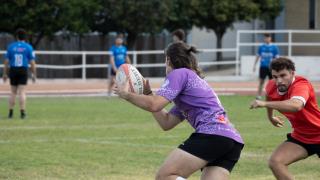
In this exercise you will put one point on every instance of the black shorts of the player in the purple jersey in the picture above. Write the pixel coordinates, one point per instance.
(217, 150)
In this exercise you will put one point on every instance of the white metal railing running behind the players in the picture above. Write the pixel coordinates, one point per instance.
(134, 54)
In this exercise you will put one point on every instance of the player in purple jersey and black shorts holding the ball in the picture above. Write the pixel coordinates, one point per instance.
(215, 146)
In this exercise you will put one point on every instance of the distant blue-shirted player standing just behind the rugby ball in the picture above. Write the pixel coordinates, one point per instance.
(118, 57)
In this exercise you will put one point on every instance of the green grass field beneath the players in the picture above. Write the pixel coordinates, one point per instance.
(100, 138)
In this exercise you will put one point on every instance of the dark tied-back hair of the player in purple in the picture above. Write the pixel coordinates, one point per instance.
(181, 55)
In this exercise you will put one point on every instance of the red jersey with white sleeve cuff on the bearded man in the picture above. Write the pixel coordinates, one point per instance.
(306, 122)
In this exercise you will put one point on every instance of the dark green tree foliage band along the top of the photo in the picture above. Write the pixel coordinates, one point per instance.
(133, 17)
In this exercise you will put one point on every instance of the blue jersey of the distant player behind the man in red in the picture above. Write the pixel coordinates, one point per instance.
(267, 52)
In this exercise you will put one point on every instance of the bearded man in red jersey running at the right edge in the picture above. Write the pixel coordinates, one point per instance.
(294, 97)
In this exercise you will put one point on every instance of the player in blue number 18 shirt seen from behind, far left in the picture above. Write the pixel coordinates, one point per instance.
(18, 57)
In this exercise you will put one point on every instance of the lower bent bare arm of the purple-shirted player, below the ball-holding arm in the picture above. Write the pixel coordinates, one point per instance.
(165, 120)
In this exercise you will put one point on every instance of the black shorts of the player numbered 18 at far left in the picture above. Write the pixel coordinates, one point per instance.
(18, 76)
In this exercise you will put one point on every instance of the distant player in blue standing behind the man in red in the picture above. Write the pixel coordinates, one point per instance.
(266, 53)
